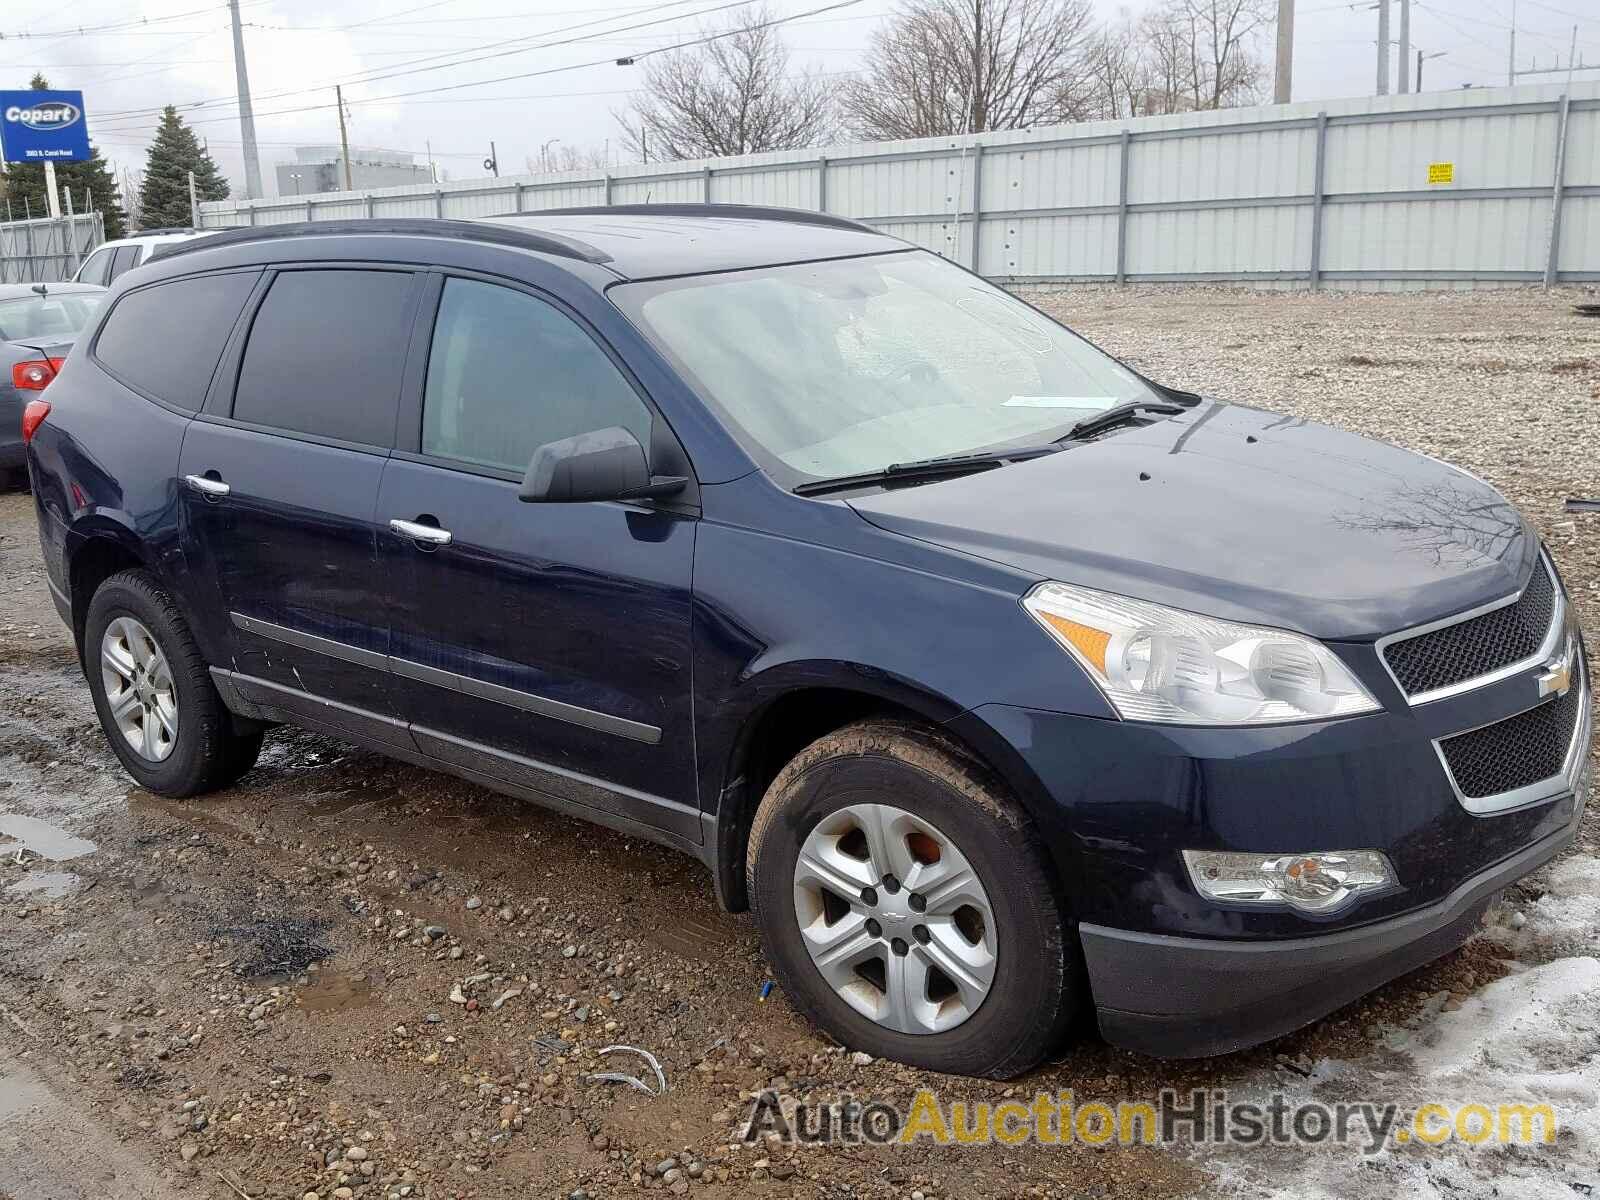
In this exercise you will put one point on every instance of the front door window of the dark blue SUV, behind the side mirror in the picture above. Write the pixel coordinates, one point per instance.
(510, 374)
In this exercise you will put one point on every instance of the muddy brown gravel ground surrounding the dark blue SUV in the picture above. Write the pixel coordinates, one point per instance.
(346, 977)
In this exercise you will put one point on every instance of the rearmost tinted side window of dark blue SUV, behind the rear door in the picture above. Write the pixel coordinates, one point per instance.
(169, 338)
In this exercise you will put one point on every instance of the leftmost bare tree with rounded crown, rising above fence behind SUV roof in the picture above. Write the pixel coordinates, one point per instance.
(732, 95)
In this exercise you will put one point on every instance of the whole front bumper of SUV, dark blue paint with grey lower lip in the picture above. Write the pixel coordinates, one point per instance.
(1178, 977)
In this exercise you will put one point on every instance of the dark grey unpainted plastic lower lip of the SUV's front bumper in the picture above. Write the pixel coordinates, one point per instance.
(1190, 998)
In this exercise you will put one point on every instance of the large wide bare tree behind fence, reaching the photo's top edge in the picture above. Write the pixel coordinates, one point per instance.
(966, 66)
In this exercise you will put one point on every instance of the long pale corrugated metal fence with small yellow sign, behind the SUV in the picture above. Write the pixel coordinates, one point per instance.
(1462, 188)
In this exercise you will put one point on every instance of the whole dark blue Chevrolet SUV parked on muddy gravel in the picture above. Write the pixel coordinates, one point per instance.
(1001, 681)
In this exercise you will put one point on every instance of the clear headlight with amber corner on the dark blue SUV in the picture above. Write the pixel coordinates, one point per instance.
(1164, 665)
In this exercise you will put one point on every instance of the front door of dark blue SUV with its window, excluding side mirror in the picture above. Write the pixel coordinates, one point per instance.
(543, 646)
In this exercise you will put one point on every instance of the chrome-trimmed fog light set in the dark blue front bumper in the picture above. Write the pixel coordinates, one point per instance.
(1308, 882)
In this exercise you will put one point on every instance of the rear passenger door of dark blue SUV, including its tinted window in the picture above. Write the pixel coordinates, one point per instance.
(281, 481)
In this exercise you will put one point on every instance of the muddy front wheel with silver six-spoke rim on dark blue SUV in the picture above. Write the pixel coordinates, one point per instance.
(906, 905)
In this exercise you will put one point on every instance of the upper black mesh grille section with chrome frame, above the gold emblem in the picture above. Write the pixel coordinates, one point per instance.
(1479, 646)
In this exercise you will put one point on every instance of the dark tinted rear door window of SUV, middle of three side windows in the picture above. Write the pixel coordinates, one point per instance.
(326, 354)
